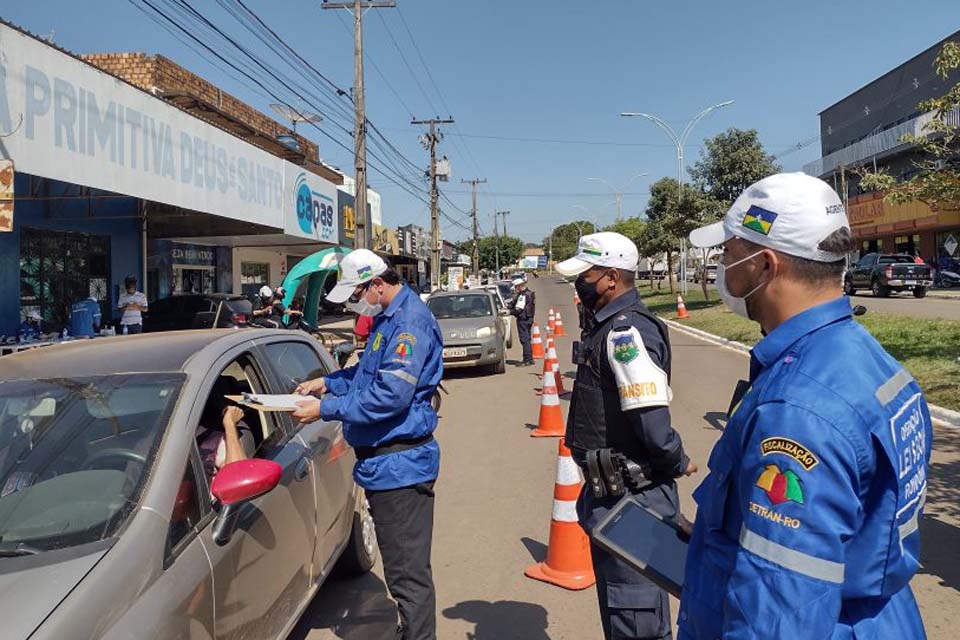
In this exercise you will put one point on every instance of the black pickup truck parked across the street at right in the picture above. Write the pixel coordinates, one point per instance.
(883, 273)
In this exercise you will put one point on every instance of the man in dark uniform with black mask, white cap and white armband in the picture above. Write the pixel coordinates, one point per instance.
(621, 405)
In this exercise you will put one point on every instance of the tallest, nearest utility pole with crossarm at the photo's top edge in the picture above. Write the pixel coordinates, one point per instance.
(361, 239)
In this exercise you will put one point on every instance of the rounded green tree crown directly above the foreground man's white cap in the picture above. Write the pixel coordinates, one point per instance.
(730, 162)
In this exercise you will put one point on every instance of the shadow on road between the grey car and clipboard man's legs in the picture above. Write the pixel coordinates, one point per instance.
(352, 609)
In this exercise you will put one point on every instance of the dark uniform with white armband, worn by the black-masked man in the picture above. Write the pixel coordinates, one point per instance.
(625, 340)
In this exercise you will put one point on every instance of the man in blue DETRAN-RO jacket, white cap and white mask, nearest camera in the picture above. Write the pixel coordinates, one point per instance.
(807, 525)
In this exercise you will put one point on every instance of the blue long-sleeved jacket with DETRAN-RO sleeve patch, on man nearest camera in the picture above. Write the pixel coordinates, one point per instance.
(807, 523)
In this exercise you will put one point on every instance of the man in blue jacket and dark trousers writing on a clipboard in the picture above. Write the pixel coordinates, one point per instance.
(384, 405)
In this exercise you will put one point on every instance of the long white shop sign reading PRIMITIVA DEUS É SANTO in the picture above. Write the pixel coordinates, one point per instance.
(72, 122)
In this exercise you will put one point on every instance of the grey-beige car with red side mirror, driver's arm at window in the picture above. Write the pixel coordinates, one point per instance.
(107, 525)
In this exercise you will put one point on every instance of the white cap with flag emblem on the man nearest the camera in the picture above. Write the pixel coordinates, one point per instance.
(787, 212)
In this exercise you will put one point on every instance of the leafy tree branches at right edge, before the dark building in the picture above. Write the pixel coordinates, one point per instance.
(937, 181)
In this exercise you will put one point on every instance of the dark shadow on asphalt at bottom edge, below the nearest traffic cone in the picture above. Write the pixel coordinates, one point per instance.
(501, 620)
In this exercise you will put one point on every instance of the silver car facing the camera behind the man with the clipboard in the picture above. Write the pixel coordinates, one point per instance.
(473, 330)
